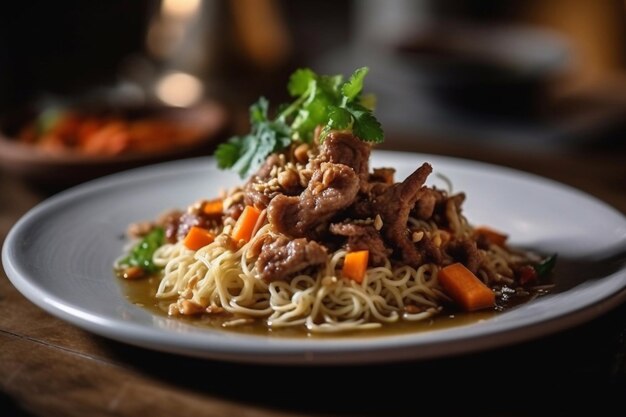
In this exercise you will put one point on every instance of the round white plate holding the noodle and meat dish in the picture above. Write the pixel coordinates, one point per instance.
(60, 256)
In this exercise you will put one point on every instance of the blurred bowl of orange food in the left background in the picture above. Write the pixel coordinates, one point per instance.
(64, 144)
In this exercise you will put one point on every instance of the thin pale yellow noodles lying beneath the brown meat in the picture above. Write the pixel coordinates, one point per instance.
(322, 301)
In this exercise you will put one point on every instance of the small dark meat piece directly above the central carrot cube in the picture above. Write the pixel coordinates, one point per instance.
(361, 237)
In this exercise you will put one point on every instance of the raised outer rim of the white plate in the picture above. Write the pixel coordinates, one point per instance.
(300, 350)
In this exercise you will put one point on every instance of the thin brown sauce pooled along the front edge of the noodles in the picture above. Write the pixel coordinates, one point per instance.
(141, 293)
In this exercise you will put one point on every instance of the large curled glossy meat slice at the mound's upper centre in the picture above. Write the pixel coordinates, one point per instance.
(331, 189)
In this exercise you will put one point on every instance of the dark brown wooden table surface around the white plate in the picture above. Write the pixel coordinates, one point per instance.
(51, 368)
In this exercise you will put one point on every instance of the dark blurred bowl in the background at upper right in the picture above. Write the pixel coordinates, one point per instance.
(486, 69)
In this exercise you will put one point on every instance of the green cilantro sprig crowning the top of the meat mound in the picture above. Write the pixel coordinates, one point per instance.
(319, 100)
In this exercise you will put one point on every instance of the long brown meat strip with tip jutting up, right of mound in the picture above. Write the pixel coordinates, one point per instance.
(394, 205)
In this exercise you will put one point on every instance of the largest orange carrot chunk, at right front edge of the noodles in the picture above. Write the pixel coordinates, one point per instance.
(465, 288)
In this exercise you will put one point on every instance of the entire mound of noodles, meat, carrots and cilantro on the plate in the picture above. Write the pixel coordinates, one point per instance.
(315, 238)
